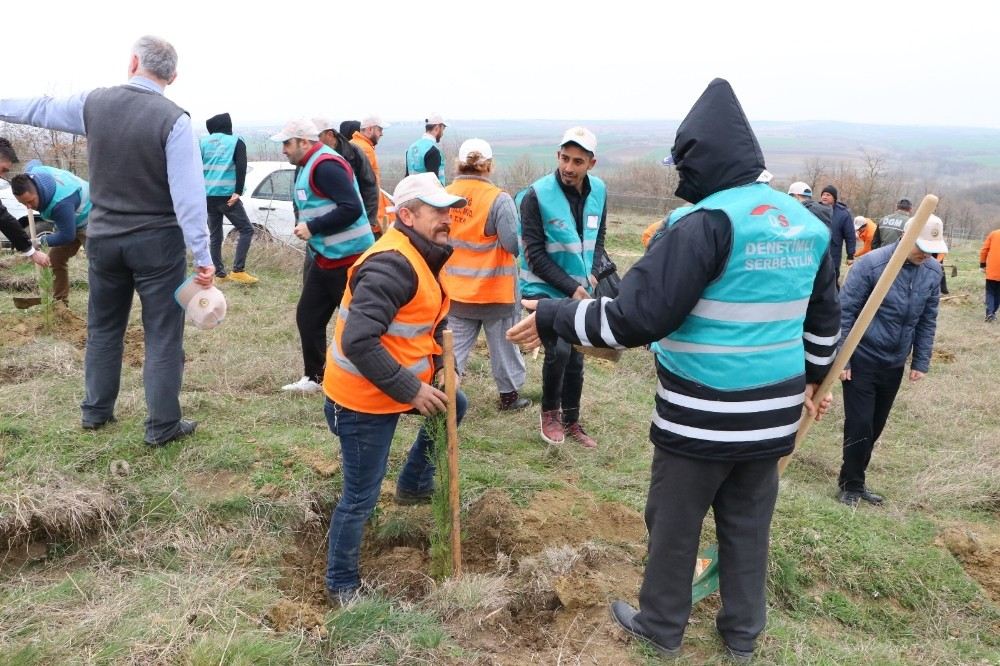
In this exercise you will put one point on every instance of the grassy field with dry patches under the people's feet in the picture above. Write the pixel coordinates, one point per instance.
(212, 550)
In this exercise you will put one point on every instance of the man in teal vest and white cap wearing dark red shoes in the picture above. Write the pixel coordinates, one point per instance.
(563, 217)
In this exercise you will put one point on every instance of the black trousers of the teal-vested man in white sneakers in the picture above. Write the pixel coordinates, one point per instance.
(322, 290)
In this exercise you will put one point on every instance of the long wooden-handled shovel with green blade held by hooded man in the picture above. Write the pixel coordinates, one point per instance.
(706, 580)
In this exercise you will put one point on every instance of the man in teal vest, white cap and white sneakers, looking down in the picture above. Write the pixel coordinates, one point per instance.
(333, 223)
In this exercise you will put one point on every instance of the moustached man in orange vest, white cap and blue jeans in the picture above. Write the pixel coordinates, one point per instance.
(381, 364)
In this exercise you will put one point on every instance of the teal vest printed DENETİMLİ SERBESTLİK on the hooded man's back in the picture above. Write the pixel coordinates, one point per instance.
(746, 330)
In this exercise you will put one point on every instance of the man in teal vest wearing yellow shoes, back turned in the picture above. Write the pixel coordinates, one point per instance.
(224, 160)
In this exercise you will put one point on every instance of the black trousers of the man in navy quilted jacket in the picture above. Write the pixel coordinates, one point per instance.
(868, 398)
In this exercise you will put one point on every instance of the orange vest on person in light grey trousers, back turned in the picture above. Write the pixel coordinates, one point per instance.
(479, 270)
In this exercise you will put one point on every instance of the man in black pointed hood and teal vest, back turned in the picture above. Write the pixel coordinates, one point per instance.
(738, 296)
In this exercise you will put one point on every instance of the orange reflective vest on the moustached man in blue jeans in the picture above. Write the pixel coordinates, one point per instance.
(409, 338)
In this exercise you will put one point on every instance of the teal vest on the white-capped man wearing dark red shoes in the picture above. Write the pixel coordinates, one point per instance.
(562, 243)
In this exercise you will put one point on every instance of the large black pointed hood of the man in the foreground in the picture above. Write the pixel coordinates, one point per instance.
(715, 148)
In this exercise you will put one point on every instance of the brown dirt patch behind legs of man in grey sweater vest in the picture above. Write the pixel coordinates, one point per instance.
(23, 328)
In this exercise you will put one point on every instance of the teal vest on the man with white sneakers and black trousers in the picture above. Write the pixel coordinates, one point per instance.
(355, 239)
